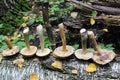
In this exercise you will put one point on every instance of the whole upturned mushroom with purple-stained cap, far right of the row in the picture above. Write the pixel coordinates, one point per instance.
(101, 56)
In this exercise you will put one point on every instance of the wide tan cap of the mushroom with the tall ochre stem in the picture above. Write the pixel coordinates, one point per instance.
(58, 53)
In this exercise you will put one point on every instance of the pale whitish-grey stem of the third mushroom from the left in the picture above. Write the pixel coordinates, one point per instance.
(40, 33)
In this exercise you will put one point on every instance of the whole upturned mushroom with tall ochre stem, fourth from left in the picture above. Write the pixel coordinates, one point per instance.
(63, 51)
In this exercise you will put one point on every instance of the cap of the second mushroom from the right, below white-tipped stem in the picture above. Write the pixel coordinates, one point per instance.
(84, 56)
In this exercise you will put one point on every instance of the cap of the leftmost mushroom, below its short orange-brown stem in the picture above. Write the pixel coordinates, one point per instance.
(10, 52)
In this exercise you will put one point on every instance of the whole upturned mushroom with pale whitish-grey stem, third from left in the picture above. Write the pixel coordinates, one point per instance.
(43, 51)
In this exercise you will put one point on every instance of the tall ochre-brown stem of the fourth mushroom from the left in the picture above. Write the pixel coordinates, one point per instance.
(62, 34)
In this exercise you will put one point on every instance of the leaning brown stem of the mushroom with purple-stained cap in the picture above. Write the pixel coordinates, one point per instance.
(95, 45)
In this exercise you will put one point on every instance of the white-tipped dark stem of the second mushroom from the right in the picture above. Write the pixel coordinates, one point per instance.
(84, 36)
